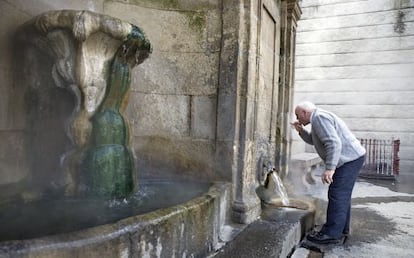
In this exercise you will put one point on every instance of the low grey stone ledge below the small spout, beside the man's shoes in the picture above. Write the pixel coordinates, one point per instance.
(276, 233)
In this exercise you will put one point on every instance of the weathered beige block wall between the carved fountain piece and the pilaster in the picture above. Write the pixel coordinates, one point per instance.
(174, 93)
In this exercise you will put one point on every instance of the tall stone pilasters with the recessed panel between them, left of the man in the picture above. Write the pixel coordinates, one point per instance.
(253, 104)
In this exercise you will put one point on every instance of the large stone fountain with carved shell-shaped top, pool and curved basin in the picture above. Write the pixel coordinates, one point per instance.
(77, 65)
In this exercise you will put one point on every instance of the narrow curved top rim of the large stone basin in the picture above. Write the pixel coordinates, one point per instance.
(107, 232)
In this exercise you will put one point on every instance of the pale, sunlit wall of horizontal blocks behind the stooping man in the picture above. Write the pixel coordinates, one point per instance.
(355, 59)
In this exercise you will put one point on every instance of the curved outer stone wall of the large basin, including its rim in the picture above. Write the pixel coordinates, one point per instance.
(186, 229)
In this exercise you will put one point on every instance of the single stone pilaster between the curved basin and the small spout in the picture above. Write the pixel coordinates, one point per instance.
(236, 104)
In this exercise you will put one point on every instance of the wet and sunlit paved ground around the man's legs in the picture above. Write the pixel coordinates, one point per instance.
(382, 220)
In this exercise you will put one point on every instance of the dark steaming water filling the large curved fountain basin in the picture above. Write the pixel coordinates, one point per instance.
(47, 217)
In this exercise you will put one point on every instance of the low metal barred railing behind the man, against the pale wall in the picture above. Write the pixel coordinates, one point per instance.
(382, 158)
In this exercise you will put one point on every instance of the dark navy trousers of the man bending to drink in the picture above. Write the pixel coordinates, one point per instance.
(338, 215)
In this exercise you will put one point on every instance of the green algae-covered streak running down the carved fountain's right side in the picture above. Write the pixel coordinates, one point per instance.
(107, 165)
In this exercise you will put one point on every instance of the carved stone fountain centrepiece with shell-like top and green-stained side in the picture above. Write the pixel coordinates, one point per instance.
(91, 56)
